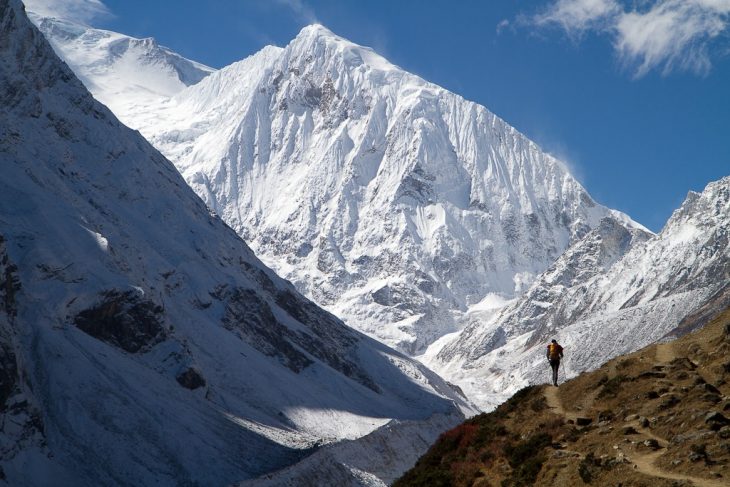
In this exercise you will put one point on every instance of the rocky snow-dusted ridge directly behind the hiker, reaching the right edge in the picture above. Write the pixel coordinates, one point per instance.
(599, 305)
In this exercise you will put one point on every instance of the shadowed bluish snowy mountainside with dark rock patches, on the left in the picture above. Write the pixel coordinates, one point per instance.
(141, 341)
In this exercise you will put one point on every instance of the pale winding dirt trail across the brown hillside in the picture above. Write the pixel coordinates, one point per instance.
(644, 462)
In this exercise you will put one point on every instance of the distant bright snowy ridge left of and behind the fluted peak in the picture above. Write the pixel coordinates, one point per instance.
(124, 73)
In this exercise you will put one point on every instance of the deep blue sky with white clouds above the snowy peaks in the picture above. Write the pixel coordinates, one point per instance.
(633, 95)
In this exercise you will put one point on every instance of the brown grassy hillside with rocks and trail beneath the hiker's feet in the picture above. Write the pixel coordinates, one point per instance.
(657, 417)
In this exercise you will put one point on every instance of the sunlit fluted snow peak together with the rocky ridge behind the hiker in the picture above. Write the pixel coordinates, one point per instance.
(413, 213)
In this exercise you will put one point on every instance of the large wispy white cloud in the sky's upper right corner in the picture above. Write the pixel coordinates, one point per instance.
(665, 35)
